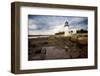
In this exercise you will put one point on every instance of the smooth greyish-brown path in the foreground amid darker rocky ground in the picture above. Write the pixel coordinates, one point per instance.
(56, 53)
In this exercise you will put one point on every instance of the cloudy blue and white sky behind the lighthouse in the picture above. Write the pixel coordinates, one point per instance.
(49, 25)
